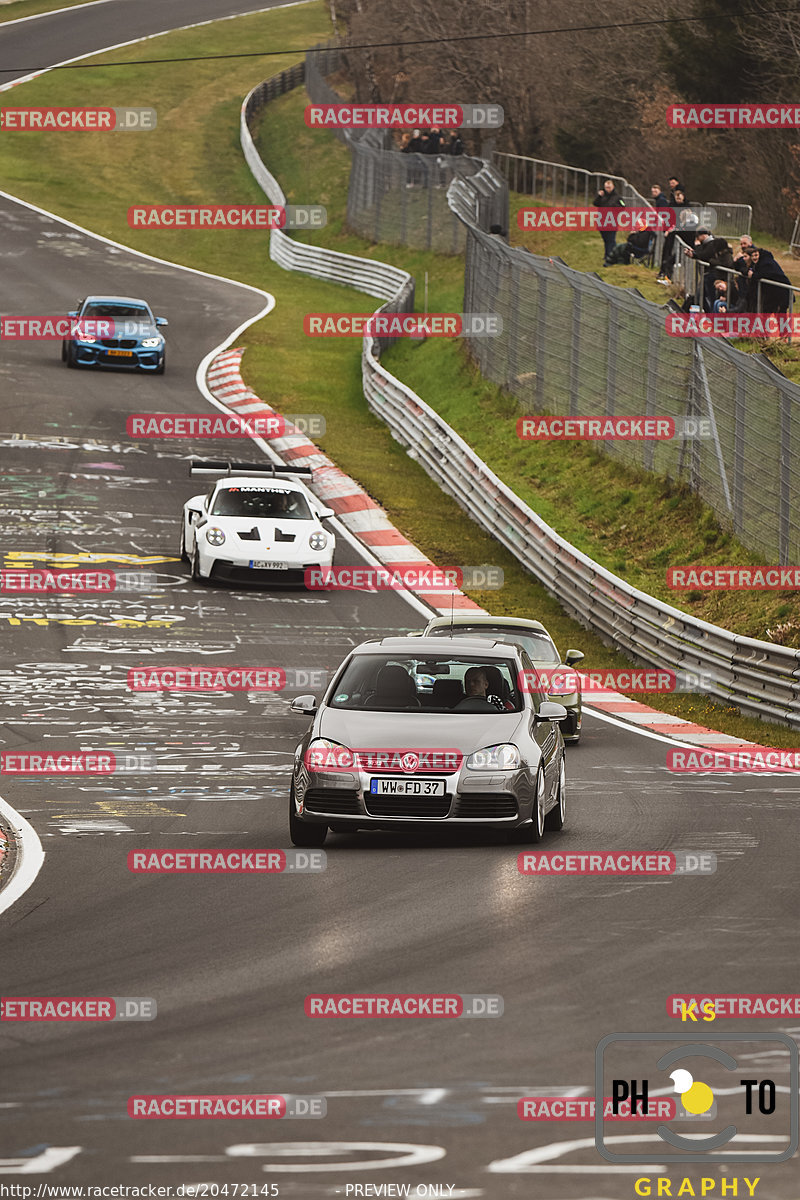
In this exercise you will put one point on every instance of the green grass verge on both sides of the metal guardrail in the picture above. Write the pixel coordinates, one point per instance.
(194, 157)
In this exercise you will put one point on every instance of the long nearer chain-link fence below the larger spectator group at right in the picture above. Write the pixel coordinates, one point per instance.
(574, 346)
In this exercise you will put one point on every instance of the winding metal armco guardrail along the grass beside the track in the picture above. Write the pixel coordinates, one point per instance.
(761, 679)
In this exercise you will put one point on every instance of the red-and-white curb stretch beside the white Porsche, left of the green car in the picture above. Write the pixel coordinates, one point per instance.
(358, 513)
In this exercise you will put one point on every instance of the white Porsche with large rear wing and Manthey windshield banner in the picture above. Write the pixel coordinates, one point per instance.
(257, 524)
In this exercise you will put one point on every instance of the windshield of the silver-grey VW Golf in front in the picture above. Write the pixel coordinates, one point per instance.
(459, 686)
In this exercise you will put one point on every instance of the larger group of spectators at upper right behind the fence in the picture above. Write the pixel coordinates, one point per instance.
(742, 284)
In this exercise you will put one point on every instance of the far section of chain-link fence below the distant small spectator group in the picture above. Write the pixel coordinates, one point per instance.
(395, 199)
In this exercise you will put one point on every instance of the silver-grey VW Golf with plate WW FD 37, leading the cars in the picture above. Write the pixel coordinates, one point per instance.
(422, 730)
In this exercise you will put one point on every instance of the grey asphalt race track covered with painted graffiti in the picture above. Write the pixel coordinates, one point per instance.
(230, 959)
